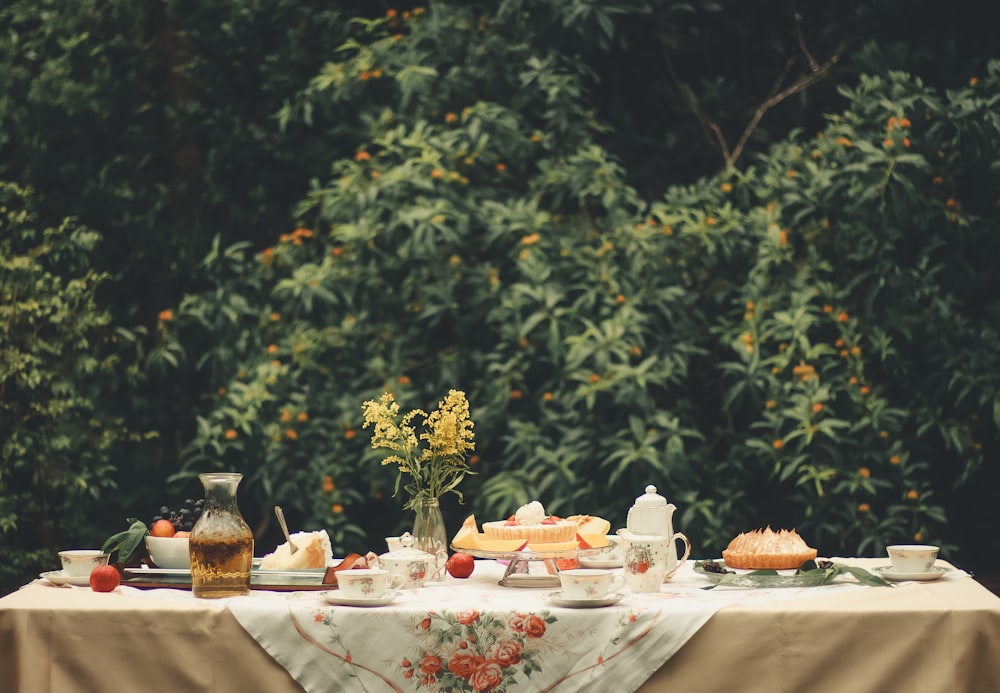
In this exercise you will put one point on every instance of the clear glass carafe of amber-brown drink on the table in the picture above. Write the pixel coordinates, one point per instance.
(221, 541)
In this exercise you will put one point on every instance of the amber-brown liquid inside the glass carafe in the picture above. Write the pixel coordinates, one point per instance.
(221, 567)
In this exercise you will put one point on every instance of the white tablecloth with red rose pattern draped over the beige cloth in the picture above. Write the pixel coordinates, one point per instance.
(474, 635)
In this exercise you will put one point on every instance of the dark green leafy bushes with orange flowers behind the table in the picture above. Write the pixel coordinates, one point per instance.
(547, 205)
